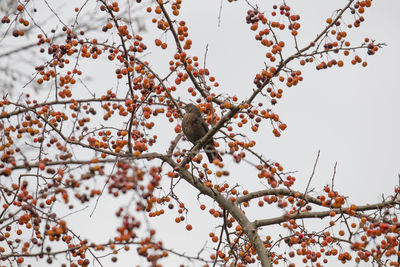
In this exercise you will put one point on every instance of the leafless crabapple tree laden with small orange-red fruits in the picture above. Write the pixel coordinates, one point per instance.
(65, 144)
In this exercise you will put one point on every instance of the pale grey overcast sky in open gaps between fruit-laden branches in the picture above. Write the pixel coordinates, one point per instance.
(351, 114)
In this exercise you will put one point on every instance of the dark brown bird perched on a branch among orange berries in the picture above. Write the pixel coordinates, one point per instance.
(194, 127)
